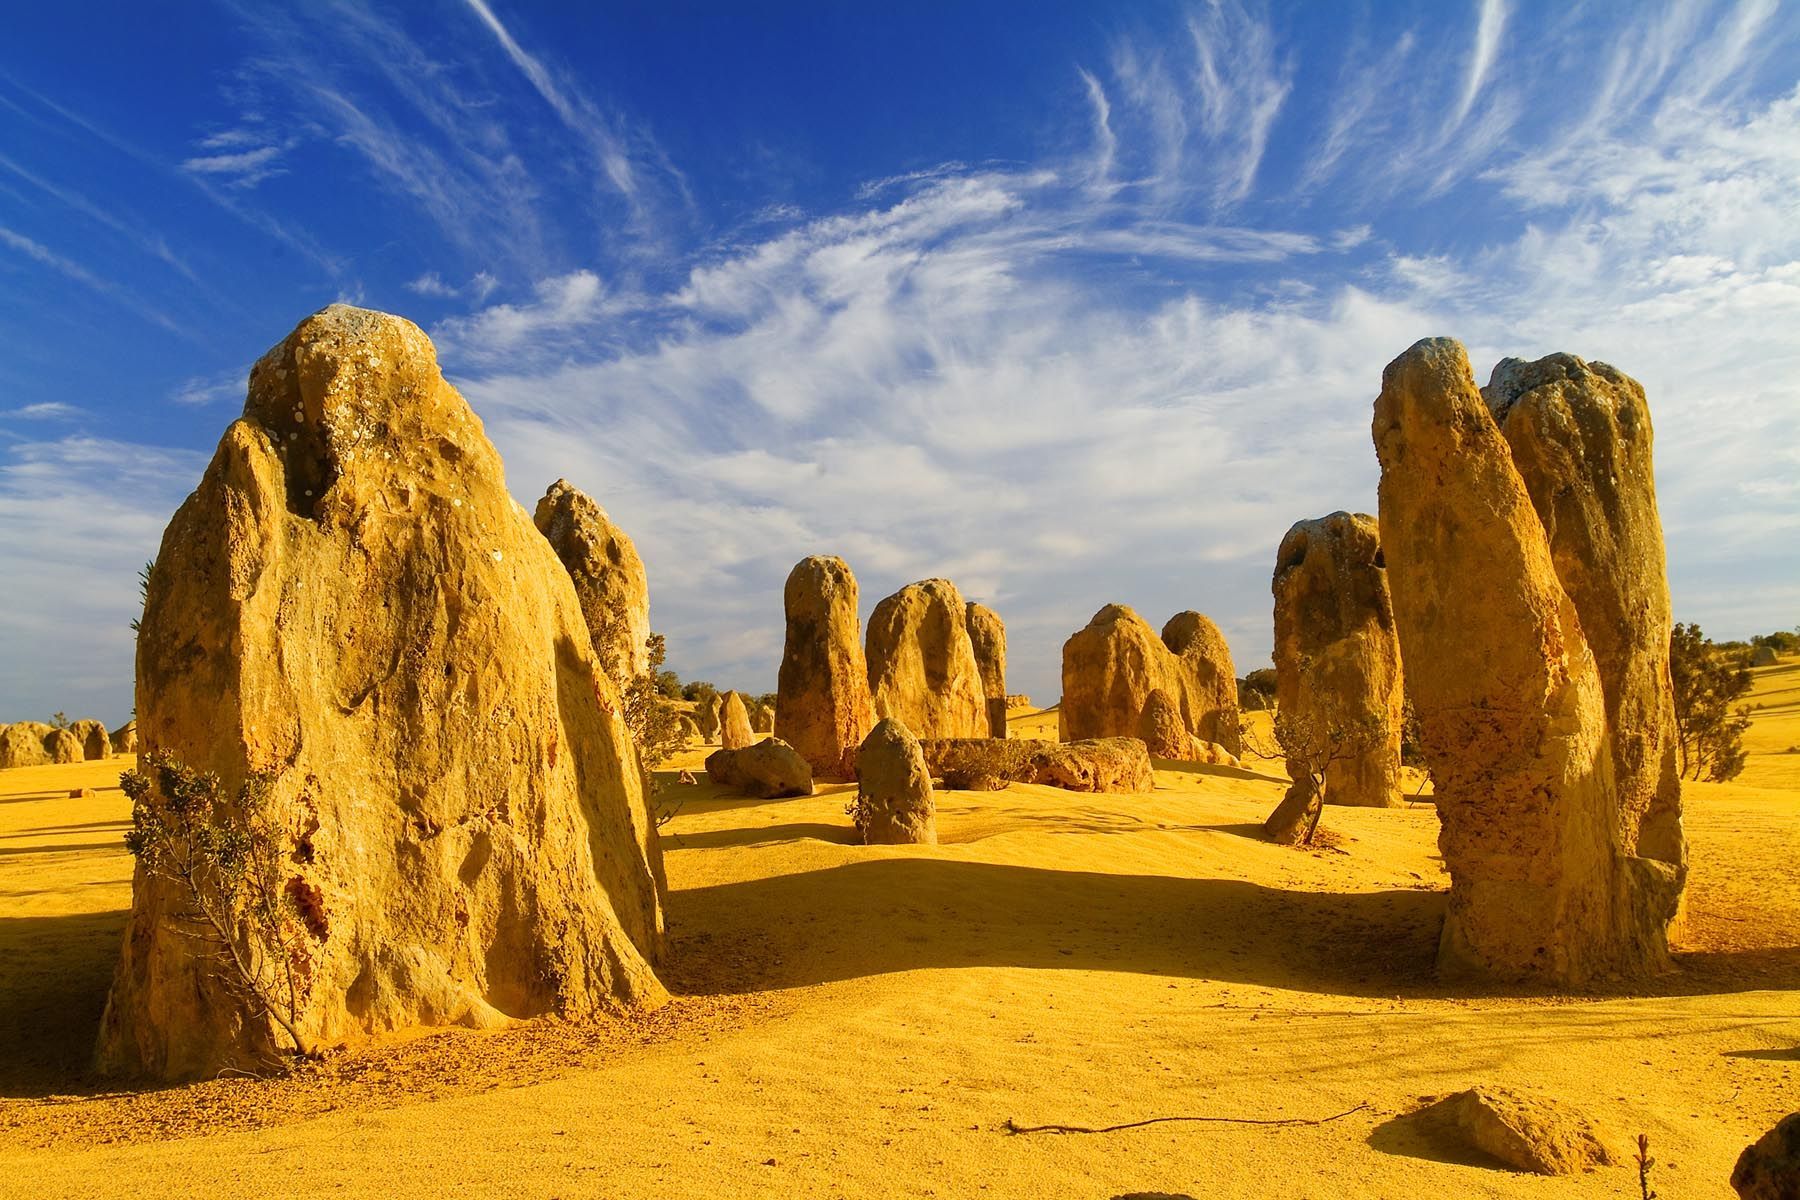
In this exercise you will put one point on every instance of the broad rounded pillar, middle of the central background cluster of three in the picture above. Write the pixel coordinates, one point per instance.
(922, 663)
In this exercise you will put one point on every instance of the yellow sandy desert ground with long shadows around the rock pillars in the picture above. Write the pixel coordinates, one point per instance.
(876, 1021)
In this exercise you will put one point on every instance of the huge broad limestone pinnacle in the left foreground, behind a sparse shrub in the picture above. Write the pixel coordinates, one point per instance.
(354, 609)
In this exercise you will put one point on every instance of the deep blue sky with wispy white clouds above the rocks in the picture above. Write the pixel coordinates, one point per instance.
(1066, 303)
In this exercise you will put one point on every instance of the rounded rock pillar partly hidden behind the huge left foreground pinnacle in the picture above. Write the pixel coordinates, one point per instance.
(609, 578)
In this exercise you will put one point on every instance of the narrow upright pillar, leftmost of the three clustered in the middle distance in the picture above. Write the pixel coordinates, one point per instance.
(823, 695)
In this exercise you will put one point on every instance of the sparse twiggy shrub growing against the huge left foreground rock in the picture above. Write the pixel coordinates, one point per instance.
(228, 857)
